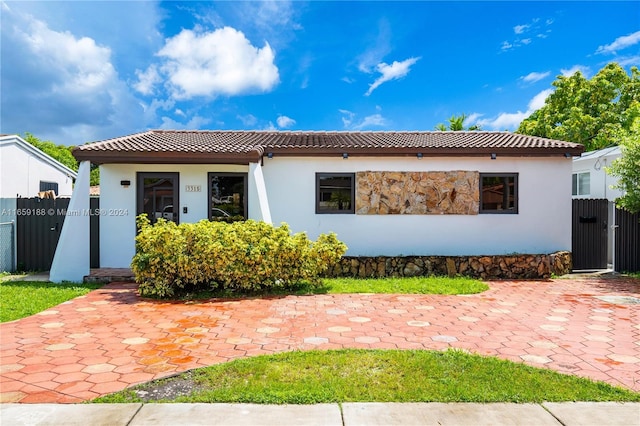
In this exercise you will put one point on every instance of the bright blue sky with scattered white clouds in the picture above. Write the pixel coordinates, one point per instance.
(80, 71)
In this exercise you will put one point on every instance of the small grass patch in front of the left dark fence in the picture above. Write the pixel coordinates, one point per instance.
(19, 299)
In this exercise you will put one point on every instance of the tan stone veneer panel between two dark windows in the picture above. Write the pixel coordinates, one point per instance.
(454, 192)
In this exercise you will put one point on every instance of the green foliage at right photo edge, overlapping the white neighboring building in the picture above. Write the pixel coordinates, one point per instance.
(627, 169)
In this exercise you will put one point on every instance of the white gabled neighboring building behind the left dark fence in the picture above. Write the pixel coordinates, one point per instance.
(25, 170)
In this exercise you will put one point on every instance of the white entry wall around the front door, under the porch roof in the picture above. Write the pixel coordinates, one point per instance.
(118, 204)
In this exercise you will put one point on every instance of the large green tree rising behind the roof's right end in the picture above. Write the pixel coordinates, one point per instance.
(591, 112)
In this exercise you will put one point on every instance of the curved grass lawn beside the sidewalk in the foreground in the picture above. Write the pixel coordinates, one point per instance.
(371, 376)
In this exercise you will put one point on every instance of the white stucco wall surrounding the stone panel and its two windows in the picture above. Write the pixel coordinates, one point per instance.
(542, 225)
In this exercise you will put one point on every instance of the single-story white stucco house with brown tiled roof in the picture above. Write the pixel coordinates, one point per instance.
(383, 193)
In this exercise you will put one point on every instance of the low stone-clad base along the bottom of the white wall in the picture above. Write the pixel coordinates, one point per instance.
(516, 266)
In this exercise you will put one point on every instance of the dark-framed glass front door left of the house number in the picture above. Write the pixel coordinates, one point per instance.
(158, 196)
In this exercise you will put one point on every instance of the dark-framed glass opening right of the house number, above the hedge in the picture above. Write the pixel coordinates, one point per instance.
(227, 195)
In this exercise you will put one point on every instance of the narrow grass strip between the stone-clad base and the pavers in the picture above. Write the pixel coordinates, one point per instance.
(400, 285)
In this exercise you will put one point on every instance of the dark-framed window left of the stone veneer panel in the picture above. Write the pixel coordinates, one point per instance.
(335, 193)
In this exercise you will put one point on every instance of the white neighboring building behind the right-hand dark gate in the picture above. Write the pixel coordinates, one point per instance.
(589, 177)
